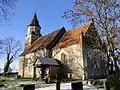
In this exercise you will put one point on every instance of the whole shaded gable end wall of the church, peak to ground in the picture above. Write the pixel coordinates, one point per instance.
(94, 57)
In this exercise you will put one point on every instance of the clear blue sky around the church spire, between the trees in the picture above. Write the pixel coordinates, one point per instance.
(49, 13)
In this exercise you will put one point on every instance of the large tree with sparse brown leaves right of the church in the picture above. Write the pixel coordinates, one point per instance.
(105, 15)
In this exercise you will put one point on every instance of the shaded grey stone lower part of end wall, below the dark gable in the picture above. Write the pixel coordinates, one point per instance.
(95, 63)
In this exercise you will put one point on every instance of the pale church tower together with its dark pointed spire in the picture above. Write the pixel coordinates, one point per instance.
(33, 32)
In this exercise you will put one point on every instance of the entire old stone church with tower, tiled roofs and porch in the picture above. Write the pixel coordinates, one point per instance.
(73, 53)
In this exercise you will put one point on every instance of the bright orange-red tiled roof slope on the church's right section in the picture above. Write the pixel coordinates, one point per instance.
(72, 36)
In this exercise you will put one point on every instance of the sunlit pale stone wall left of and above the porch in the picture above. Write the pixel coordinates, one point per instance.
(26, 63)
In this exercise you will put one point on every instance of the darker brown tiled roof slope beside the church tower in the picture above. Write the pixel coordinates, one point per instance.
(43, 41)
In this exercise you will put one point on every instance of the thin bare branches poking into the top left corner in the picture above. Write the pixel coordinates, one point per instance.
(6, 7)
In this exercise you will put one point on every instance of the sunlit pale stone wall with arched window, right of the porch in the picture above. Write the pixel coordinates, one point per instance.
(74, 59)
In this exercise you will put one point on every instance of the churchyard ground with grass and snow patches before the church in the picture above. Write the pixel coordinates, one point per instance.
(17, 83)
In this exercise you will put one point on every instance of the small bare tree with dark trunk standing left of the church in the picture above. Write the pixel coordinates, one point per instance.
(10, 49)
